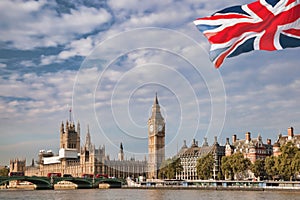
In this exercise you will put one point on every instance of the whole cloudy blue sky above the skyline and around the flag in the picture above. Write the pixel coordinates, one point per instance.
(106, 60)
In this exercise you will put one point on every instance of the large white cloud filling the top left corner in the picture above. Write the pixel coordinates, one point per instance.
(33, 24)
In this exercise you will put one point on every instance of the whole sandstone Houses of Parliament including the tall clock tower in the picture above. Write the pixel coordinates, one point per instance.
(76, 160)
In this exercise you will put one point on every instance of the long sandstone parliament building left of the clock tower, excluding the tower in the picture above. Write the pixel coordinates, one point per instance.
(77, 161)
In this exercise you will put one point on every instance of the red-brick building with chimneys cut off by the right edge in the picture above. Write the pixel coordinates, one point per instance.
(282, 140)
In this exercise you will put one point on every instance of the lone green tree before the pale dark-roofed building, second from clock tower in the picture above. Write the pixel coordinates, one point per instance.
(205, 167)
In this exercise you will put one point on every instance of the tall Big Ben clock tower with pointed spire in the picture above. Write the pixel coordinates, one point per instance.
(156, 140)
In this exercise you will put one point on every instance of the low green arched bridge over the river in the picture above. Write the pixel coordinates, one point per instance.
(48, 183)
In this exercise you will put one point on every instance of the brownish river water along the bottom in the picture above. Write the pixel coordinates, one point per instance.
(146, 194)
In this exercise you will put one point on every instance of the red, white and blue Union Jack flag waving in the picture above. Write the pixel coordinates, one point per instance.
(262, 25)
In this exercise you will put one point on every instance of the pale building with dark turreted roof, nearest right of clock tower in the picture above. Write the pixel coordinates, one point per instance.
(190, 155)
